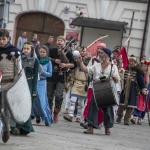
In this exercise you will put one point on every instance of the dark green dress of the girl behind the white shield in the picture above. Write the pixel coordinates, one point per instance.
(27, 127)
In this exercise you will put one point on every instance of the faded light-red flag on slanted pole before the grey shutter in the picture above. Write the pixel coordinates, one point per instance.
(92, 48)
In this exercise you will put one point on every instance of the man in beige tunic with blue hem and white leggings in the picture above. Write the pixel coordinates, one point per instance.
(79, 89)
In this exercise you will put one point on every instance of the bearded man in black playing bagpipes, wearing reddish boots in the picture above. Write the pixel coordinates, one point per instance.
(56, 83)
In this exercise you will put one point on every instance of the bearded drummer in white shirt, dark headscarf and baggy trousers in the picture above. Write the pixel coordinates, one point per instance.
(100, 70)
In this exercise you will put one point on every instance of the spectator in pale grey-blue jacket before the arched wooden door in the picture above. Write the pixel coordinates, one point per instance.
(21, 40)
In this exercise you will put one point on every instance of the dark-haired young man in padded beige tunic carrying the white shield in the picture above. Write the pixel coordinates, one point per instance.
(7, 65)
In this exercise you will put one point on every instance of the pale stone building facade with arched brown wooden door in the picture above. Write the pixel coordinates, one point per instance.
(52, 17)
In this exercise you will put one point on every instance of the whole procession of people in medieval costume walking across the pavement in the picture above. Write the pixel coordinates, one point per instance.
(54, 71)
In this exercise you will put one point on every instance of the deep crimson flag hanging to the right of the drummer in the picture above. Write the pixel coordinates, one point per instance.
(123, 58)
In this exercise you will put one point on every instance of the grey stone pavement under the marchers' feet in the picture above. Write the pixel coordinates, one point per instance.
(69, 136)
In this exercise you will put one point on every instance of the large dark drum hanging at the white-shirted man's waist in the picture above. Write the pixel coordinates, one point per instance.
(105, 93)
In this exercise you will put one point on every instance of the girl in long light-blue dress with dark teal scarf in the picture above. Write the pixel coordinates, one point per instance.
(41, 106)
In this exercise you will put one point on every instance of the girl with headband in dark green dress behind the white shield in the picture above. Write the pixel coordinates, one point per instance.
(31, 66)
